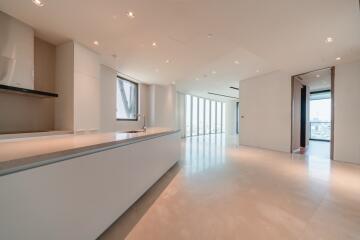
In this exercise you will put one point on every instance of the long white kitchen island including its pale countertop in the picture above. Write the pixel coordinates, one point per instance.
(76, 186)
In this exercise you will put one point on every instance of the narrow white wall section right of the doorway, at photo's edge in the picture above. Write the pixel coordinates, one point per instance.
(347, 113)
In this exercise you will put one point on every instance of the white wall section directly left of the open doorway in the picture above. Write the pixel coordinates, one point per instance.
(265, 104)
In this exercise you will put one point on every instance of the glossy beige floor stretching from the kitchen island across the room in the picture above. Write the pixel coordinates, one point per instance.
(224, 191)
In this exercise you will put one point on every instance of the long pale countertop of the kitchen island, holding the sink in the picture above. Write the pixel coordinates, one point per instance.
(21, 154)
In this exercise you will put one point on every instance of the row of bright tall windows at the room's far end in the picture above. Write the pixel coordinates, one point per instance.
(204, 116)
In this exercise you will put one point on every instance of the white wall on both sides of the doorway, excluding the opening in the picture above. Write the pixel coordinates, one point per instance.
(265, 105)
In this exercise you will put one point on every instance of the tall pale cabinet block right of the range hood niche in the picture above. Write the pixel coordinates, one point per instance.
(77, 82)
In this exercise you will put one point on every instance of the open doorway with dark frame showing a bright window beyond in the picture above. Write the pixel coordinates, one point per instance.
(312, 118)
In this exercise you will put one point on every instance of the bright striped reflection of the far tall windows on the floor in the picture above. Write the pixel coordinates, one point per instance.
(204, 152)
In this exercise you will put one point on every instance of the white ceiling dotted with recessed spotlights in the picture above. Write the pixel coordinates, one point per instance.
(260, 34)
